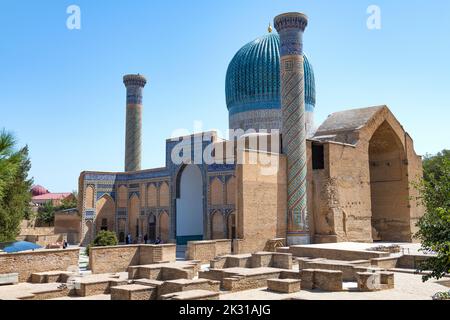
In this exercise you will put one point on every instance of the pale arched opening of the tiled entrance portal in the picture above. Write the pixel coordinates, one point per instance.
(189, 205)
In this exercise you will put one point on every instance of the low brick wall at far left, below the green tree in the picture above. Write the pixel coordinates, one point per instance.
(27, 263)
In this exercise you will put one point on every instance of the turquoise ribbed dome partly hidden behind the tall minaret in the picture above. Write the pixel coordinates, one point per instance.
(253, 77)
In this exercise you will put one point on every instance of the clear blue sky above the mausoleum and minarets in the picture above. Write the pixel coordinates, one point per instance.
(61, 90)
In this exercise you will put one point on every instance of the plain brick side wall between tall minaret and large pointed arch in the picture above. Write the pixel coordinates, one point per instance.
(340, 196)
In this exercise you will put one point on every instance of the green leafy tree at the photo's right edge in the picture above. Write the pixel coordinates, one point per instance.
(434, 226)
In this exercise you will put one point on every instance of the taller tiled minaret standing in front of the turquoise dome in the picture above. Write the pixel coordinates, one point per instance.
(290, 27)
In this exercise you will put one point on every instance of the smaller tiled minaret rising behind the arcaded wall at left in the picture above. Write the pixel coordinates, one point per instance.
(134, 83)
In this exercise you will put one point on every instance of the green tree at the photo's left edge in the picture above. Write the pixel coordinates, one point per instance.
(15, 186)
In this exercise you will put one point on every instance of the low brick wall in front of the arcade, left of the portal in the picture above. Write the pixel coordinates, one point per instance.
(119, 258)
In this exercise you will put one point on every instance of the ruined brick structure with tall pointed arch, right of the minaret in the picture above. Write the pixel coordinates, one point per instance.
(364, 192)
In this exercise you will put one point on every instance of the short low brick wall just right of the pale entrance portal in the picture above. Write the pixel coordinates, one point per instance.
(207, 250)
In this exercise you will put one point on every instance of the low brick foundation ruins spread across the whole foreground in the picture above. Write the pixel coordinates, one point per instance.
(152, 272)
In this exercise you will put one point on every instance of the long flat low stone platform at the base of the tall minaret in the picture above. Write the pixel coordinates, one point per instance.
(334, 254)
